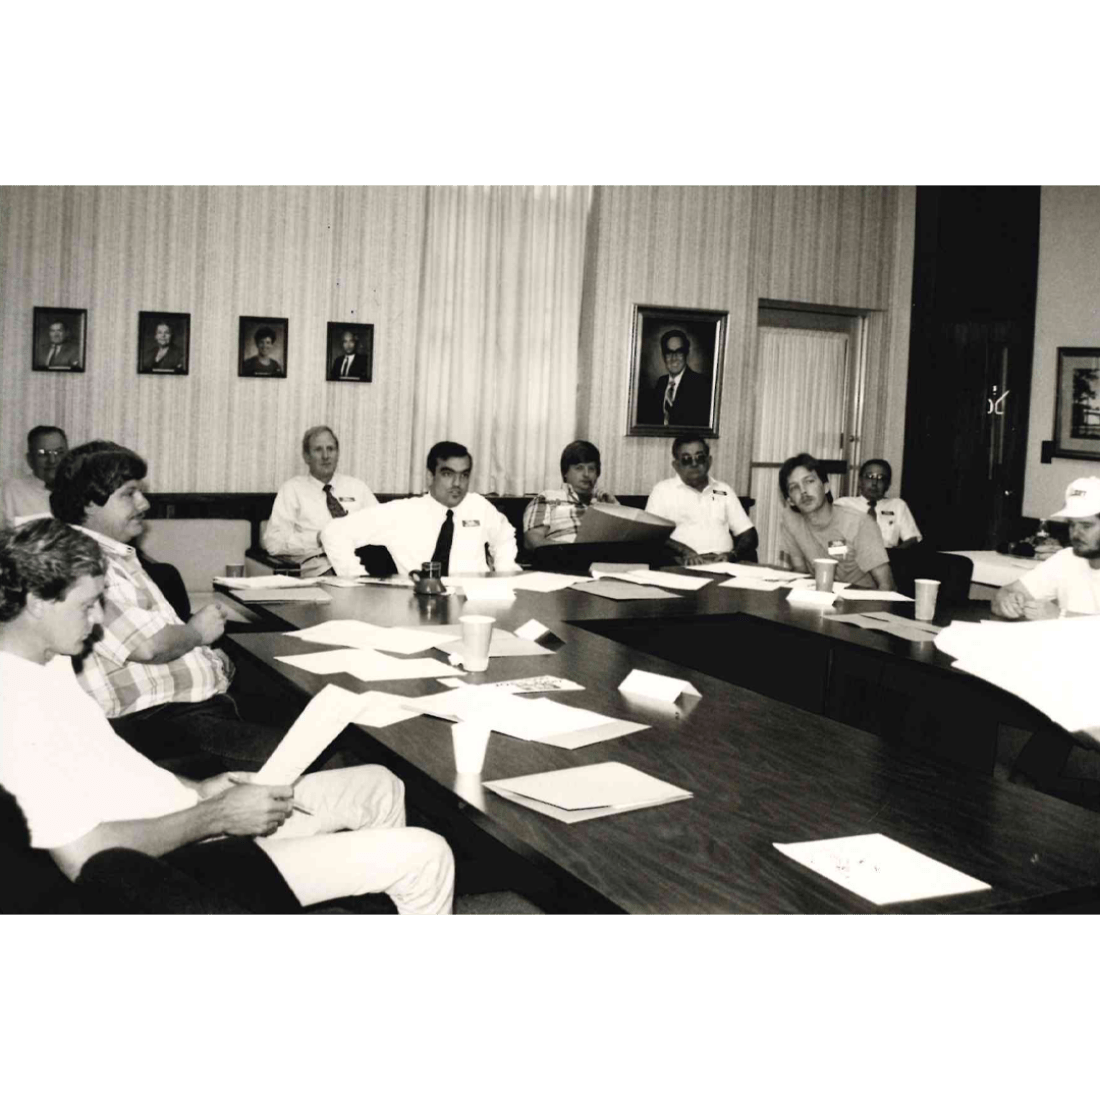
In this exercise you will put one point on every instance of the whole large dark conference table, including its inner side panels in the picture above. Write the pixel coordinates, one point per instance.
(765, 758)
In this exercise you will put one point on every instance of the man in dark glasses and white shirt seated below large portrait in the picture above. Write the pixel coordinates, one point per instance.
(711, 523)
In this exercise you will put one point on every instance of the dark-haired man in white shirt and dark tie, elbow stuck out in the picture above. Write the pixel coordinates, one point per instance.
(449, 524)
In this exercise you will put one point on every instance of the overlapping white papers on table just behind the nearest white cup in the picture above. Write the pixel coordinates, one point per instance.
(530, 720)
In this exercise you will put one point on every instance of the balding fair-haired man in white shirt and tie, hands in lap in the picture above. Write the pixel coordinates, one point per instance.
(306, 504)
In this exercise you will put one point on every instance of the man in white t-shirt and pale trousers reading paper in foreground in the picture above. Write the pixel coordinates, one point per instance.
(84, 790)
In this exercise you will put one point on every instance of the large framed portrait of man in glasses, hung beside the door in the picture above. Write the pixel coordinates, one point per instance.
(676, 370)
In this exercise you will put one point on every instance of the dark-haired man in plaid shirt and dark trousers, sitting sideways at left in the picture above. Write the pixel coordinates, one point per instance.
(158, 679)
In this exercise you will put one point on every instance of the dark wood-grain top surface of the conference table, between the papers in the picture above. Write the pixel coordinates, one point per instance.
(762, 772)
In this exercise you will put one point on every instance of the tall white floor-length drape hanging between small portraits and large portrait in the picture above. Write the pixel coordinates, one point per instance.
(500, 320)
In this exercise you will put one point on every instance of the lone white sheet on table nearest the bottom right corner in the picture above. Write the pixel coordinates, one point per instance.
(879, 870)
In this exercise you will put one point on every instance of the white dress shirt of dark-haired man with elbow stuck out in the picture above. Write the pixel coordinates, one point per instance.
(410, 530)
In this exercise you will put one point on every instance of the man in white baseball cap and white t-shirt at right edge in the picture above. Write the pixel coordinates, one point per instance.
(1073, 576)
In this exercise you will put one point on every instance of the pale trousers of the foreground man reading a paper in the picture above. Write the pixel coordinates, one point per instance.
(355, 842)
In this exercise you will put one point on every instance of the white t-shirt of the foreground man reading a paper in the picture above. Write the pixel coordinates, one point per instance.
(63, 763)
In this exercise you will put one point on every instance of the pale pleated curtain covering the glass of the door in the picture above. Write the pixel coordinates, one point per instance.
(802, 394)
